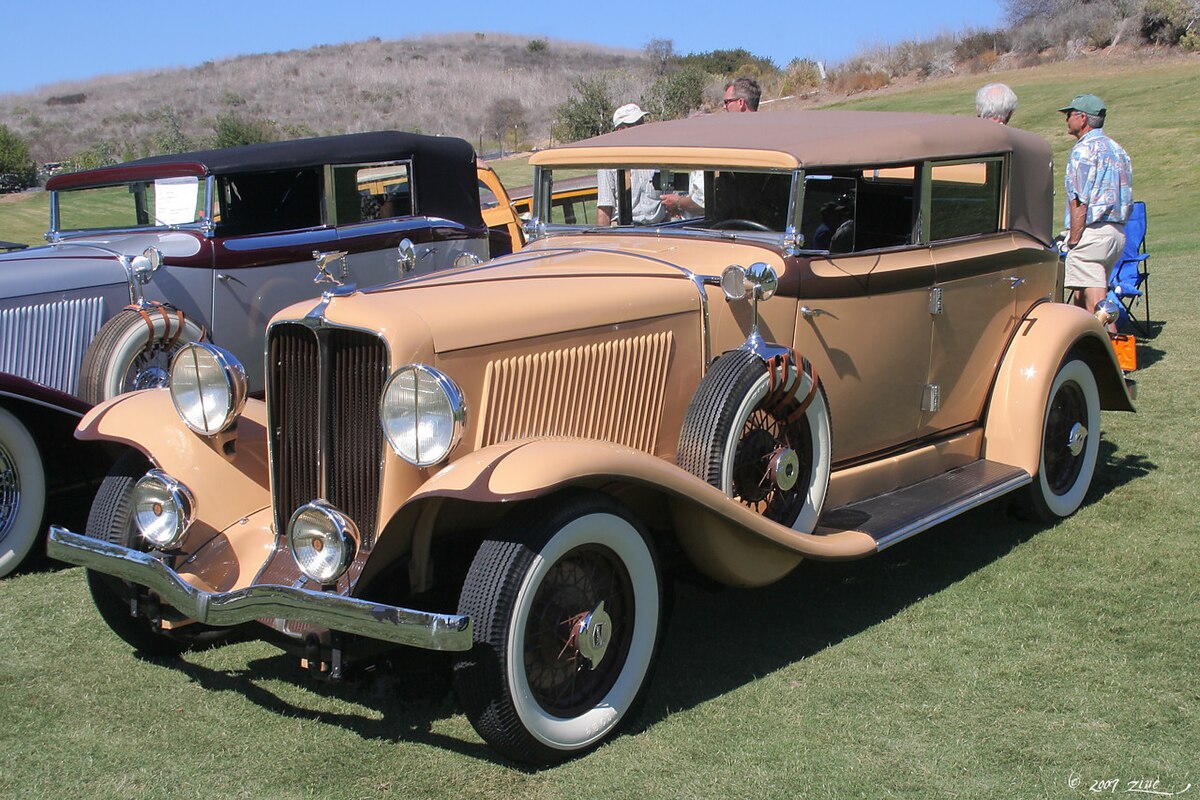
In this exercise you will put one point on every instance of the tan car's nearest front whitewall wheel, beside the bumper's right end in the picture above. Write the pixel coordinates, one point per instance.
(566, 603)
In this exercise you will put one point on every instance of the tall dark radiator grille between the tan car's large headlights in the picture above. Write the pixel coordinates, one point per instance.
(325, 388)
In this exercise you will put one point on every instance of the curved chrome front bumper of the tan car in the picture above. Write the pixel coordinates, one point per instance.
(223, 609)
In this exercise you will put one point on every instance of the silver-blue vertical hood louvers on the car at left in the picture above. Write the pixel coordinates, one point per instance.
(46, 344)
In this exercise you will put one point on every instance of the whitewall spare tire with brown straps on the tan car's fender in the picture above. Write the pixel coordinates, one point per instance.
(759, 431)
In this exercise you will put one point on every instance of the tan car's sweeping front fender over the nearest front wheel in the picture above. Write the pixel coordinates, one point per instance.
(711, 527)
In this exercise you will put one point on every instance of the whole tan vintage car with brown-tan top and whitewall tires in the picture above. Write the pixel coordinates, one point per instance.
(807, 335)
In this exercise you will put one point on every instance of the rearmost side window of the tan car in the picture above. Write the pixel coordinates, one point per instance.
(965, 200)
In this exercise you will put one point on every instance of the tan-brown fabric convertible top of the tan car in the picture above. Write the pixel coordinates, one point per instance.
(836, 140)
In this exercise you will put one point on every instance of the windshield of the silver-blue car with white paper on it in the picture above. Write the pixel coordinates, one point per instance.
(166, 202)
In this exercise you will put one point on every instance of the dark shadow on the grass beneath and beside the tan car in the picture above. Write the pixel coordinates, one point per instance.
(716, 642)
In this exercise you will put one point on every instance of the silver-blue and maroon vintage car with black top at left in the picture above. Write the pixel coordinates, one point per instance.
(148, 256)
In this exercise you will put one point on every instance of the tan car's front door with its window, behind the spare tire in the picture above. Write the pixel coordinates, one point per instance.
(863, 318)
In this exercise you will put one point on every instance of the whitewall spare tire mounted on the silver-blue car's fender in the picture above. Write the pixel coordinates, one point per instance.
(134, 351)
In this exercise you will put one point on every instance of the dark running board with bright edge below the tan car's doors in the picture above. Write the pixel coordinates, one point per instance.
(896, 516)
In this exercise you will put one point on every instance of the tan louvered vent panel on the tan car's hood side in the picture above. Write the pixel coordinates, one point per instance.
(610, 392)
